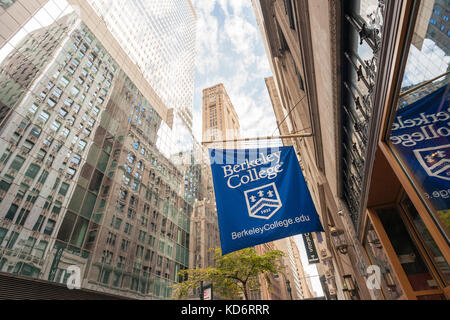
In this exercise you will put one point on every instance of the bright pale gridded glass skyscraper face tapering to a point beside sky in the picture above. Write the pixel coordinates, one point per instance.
(159, 37)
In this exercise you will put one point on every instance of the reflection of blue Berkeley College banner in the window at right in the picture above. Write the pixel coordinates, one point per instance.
(421, 137)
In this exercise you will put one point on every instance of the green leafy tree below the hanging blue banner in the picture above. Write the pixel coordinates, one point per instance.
(234, 274)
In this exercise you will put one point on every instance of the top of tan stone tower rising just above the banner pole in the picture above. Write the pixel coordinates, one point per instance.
(220, 120)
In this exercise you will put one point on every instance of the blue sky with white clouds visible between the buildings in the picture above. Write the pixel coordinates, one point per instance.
(230, 51)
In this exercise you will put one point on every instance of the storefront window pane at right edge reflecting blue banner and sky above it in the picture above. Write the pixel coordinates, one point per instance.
(420, 132)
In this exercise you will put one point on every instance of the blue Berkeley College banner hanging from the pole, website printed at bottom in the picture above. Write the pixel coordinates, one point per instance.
(261, 196)
